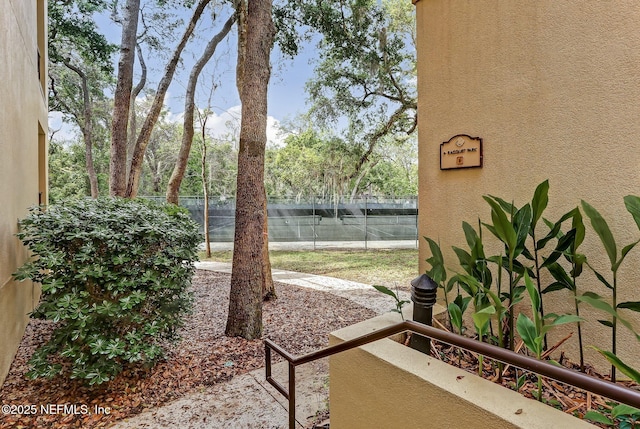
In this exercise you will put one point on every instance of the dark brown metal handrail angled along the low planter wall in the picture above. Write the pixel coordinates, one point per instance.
(600, 387)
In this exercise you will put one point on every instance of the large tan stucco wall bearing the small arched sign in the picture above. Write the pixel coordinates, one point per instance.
(553, 89)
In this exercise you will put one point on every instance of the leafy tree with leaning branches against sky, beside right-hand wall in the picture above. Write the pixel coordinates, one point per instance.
(365, 74)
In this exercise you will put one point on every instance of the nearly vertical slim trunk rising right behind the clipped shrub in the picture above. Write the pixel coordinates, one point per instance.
(121, 101)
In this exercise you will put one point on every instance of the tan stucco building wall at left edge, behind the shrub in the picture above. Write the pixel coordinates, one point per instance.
(23, 128)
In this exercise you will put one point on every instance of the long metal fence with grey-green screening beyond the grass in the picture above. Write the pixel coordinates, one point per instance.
(317, 219)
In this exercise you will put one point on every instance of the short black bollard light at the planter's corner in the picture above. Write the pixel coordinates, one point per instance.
(423, 295)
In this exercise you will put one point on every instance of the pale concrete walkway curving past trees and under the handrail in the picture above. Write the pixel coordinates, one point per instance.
(247, 401)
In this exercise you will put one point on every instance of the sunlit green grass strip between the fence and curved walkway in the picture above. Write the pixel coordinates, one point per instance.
(390, 267)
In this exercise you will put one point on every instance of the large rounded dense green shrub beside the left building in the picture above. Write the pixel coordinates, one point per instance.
(115, 275)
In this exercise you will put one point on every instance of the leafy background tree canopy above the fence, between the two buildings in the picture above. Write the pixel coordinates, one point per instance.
(357, 137)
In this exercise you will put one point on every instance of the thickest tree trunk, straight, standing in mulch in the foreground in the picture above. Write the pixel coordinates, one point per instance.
(245, 300)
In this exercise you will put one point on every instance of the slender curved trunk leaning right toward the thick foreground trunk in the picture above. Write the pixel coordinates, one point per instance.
(173, 188)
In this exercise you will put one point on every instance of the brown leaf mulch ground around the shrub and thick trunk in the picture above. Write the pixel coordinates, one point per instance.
(299, 320)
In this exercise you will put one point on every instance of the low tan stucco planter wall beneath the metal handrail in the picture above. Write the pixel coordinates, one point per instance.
(388, 385)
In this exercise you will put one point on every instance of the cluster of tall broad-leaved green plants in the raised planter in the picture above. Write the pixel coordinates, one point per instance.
(518, 230)
